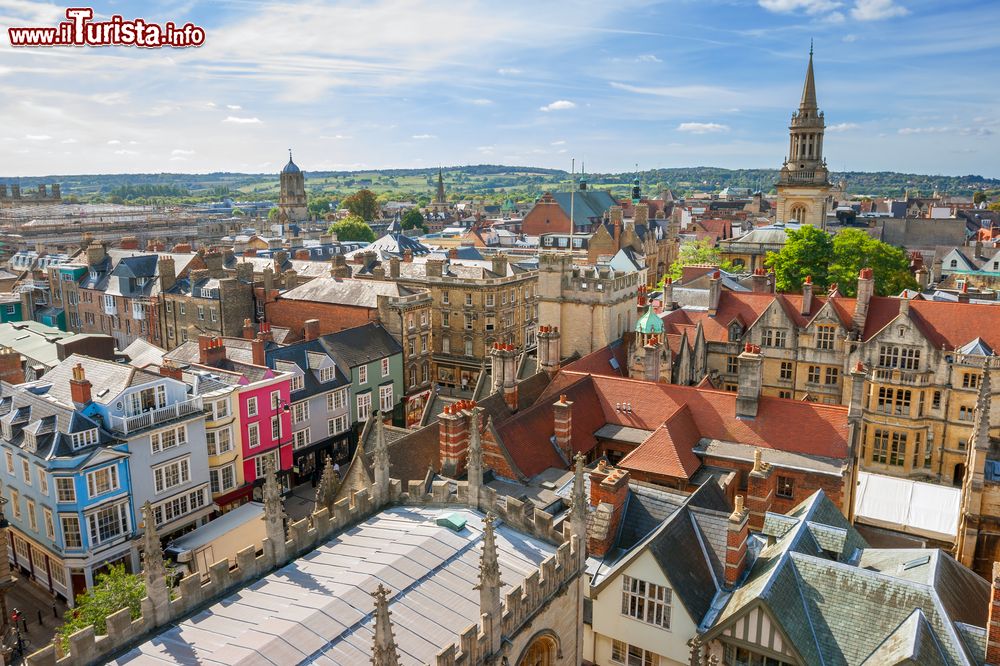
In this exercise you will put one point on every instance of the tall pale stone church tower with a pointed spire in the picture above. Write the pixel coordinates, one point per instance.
(804, 185)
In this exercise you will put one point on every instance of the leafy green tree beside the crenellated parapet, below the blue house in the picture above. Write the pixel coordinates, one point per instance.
(115, 589)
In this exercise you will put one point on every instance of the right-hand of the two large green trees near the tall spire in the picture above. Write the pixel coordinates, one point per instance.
(853, 249)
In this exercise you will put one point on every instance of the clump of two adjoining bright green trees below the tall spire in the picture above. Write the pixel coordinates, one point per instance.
(811, 252)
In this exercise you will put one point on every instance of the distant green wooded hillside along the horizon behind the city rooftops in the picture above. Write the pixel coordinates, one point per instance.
(485, 180)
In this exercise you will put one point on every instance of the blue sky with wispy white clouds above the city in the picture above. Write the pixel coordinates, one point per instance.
(906, 85)
